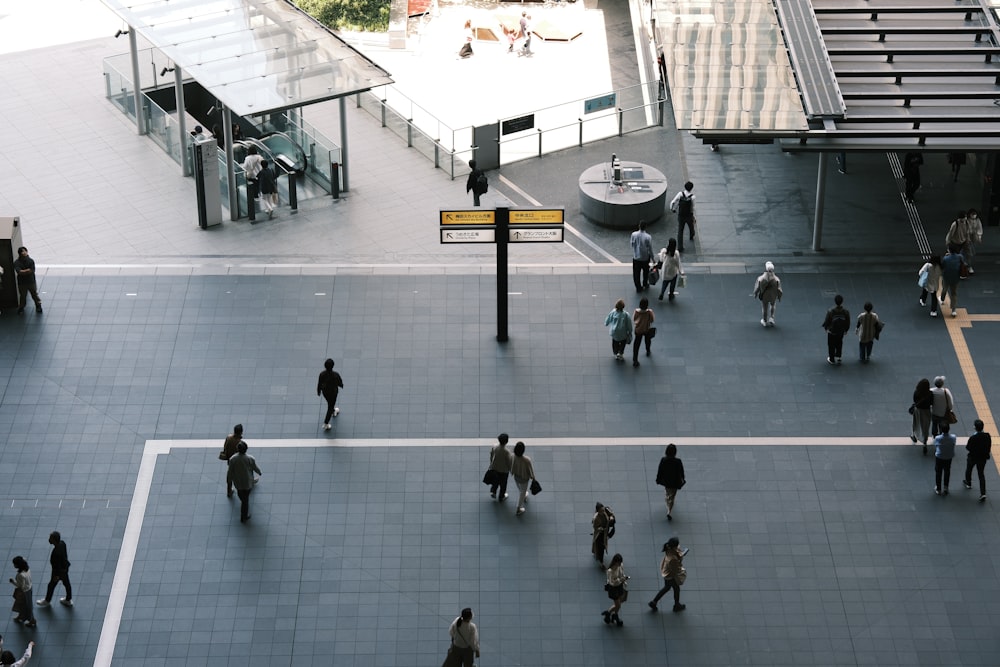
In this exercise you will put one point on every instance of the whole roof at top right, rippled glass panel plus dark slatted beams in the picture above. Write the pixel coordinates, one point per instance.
(870, 74)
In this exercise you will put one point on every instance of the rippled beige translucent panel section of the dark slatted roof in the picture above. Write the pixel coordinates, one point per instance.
(727, 66)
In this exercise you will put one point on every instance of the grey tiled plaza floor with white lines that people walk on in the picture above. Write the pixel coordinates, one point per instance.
(815, 536)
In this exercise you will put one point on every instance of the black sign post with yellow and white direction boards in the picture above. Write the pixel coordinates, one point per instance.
(502, 226)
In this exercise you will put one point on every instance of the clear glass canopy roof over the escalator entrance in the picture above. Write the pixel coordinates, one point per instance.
(255, 56)
